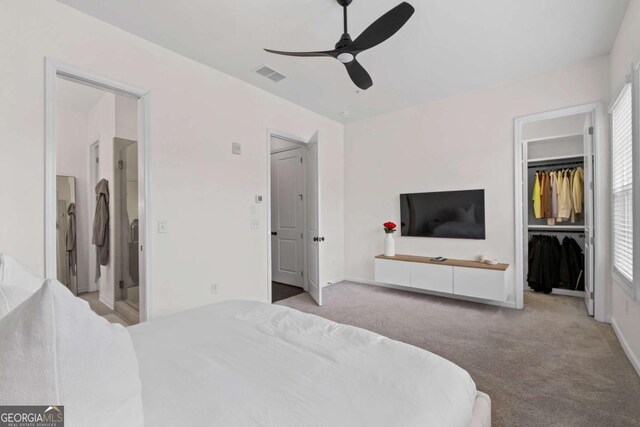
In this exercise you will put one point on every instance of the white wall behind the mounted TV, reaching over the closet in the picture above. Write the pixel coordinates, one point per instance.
(462, 142)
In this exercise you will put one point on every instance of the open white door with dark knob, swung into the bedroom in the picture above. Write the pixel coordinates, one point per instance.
(313, 236)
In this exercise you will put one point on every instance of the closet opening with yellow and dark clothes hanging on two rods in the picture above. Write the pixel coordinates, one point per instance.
(558, 222)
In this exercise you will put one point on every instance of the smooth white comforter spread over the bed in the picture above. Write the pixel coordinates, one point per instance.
(243, 363)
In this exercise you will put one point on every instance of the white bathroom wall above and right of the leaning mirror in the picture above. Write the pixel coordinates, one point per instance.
(71, 160)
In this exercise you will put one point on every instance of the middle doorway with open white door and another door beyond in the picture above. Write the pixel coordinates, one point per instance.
(293, 206)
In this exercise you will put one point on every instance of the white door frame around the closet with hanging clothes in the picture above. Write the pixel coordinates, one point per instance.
(597, 112)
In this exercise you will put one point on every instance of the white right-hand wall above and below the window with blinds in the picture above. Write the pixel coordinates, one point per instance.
(624, 309)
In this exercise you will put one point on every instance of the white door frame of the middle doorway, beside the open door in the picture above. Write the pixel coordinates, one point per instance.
(303, 143)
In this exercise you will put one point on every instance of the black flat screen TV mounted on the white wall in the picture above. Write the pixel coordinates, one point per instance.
(447, 214)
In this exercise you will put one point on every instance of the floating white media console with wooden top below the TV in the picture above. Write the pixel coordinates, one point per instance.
(453, 276)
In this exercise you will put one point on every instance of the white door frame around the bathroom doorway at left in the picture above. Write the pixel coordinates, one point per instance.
(53, 71)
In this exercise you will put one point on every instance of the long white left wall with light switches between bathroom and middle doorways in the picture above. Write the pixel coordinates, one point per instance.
(200, 188)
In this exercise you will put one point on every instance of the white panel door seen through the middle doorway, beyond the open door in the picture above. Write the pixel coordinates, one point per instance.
(287, 217)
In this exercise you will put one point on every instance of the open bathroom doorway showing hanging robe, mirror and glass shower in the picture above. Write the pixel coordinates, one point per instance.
(95, 154)
